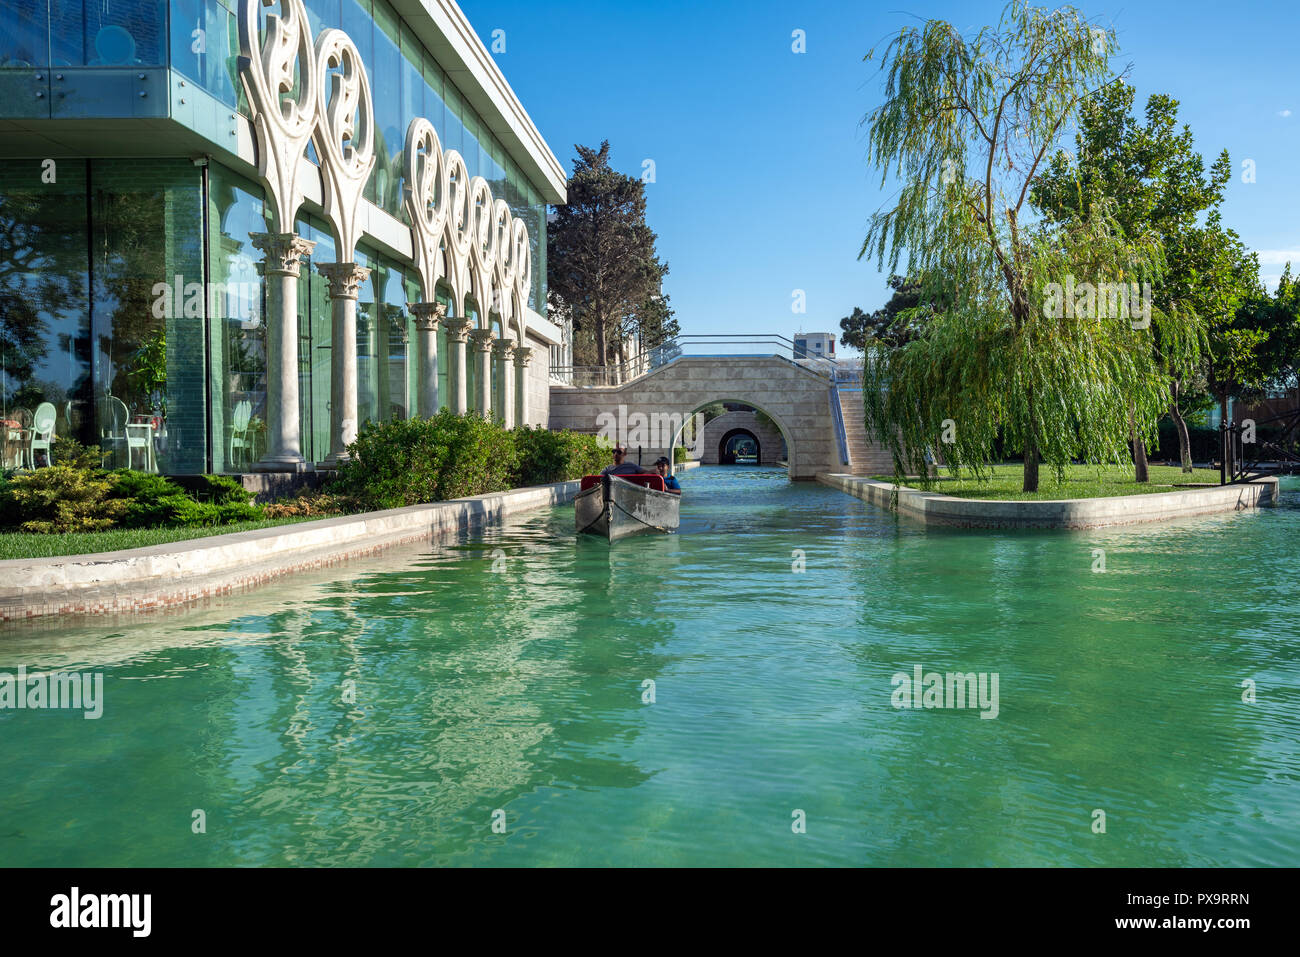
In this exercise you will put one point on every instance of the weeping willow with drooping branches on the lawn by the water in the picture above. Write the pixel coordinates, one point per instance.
(1030, 343)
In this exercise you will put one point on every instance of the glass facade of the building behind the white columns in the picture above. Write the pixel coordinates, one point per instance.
(131, 297)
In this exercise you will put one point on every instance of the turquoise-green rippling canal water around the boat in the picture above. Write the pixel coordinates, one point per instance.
(522, 691)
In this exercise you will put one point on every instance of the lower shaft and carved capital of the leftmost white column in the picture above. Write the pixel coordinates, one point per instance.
(283, 253)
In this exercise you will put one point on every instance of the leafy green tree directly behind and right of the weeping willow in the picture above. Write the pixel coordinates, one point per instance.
(1158, 183)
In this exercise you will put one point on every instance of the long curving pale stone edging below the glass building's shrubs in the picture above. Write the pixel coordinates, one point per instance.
(164, 575)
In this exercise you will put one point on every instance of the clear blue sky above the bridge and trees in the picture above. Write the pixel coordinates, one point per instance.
(761, 179)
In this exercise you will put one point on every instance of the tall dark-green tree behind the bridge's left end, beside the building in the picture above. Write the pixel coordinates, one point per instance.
(601, 265)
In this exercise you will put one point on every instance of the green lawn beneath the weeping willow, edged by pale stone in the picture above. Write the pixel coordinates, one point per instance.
(1081, 482)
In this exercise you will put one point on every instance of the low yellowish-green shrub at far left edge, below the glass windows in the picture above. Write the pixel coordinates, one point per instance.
(60, 499)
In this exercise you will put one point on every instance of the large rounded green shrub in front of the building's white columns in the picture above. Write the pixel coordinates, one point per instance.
(414, 461)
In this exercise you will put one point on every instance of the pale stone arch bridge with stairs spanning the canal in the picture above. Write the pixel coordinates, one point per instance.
(649, 412)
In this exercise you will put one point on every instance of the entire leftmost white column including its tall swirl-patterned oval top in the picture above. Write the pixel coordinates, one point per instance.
(270, 59)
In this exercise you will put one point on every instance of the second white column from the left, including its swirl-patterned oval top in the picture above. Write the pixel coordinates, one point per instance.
(345, 144)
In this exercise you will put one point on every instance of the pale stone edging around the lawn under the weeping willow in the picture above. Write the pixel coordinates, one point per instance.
(938, 509)
